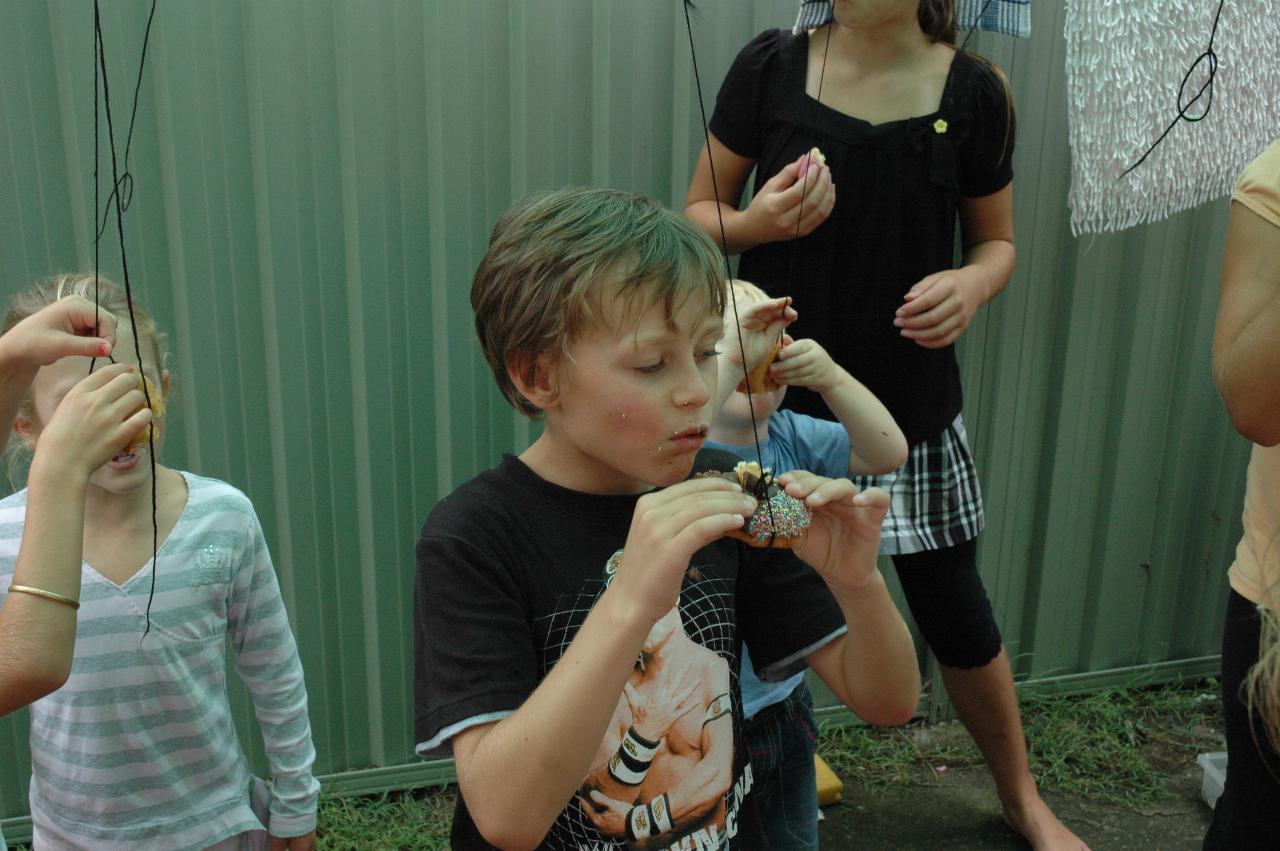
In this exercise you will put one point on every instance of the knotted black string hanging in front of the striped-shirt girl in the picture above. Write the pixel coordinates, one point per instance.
(121, 205)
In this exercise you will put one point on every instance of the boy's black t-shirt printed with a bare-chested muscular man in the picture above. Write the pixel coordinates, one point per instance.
(509, 568)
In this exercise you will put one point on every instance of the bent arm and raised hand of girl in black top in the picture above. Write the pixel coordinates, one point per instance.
(772, 216)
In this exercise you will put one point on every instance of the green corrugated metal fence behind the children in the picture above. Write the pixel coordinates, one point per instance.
(316, 181)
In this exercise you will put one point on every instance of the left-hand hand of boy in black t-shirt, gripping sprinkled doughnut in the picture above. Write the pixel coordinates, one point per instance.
(668, 529)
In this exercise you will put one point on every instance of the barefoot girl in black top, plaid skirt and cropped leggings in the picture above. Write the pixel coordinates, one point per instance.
(918, 139)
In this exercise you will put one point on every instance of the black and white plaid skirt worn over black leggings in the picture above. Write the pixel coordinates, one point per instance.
(935, 501)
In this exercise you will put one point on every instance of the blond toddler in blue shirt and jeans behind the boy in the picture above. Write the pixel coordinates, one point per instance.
(780, 725)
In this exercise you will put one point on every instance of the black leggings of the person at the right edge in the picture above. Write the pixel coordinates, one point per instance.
(1249, 813)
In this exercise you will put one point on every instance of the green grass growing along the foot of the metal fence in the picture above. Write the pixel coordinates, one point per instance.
(1113, 747)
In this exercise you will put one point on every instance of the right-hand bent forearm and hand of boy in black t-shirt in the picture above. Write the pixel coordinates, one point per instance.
(872, 669)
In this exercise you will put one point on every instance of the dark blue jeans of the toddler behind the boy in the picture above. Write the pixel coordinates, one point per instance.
(781, 740)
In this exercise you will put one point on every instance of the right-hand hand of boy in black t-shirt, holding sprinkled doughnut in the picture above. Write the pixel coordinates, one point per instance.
(844, 541)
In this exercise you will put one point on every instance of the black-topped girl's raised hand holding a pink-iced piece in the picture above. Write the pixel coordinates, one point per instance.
(802, 190)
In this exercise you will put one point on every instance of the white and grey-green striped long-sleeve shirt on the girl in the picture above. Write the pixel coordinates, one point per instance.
(139, 751)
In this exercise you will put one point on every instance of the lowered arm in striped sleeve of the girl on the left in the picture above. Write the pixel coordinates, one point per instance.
(267, 660)
